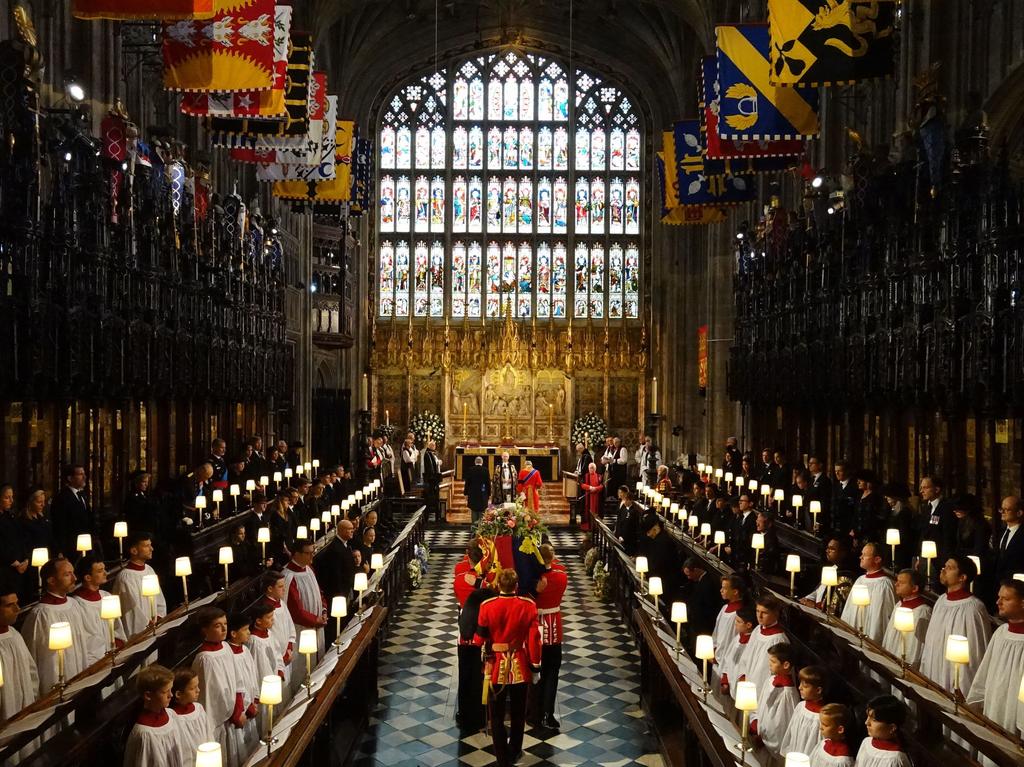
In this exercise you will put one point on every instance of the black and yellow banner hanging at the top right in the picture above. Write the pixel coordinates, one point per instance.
(831, 42)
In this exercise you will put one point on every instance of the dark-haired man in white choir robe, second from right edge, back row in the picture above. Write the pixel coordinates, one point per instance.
(957, 612)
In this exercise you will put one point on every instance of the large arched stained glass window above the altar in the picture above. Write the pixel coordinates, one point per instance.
(509, 183)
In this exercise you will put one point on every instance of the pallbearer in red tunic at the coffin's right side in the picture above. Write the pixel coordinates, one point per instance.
(550, 590)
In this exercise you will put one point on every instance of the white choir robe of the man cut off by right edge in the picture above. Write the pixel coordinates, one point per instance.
(998, 680)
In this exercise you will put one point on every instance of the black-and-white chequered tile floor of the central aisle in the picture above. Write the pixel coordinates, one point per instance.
(599, 698)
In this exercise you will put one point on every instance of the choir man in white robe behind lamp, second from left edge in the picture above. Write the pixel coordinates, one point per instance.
(55, 607)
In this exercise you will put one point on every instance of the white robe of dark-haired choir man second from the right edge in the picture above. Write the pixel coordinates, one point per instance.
(964, 616)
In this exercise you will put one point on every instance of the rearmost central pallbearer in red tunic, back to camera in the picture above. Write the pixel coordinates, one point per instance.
(509, 628)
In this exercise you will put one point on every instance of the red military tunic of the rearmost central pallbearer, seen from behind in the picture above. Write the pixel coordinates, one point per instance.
(509, 627)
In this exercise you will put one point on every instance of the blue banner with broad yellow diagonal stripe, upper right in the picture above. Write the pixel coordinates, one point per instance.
(750, 107)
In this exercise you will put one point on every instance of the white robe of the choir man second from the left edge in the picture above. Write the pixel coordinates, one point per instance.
(49, 611)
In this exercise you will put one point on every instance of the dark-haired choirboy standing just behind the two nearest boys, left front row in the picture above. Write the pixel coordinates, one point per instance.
(220, 688)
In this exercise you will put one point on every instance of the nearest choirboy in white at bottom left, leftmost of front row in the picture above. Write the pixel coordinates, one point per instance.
(157, 740)
